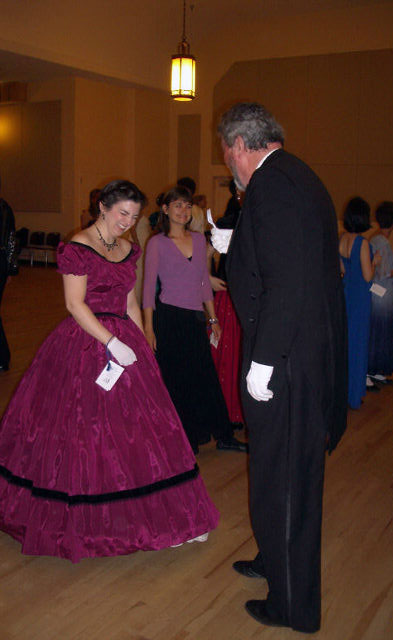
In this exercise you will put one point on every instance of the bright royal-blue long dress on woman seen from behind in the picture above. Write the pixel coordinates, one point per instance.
(358, 302)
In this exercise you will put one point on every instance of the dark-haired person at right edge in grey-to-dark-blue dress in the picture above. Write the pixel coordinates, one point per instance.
(380, 355)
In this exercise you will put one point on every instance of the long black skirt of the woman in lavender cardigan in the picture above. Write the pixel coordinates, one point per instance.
(183, 354)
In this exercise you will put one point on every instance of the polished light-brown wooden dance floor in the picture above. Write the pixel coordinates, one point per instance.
(191, 593)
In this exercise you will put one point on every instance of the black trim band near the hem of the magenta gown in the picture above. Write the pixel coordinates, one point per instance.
(100, 498)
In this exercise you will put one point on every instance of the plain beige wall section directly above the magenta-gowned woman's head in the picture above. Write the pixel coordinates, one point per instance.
(120, 133)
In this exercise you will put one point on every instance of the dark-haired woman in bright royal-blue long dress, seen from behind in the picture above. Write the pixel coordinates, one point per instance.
(358, 271)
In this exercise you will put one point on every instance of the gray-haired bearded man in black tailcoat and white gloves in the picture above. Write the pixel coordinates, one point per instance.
(284, 278)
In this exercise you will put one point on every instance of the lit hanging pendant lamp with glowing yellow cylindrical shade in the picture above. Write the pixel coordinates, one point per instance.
(183, 68)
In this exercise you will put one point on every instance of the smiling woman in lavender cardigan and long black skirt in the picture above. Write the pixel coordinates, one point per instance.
(177, 329)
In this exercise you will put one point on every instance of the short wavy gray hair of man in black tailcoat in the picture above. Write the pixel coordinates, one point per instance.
(253, 122)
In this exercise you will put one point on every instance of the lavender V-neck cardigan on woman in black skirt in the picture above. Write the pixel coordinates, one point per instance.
(184, 283)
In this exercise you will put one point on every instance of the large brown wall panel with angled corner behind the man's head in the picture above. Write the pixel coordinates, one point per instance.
(336, 112)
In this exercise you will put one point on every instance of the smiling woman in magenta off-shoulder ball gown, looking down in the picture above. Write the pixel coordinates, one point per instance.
(88, 469)
